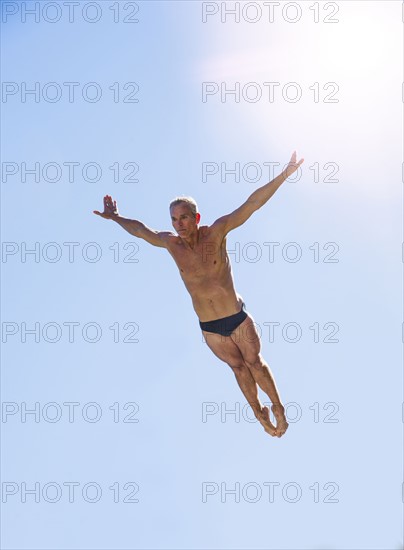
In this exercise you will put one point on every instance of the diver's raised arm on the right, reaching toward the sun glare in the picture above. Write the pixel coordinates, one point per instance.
(257, 199)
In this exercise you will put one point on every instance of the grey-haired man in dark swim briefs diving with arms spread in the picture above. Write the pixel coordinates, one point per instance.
(201, 256)
